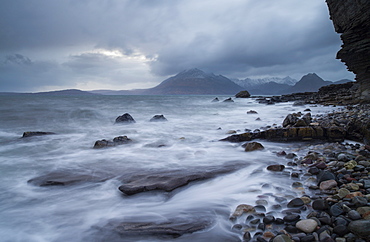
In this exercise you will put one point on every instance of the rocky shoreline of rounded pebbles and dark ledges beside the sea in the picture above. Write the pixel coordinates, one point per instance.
(332, 178)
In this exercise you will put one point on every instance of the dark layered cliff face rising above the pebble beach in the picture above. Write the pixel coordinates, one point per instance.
(352, 20)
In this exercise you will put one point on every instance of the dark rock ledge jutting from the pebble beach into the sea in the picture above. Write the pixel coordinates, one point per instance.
(351, 122)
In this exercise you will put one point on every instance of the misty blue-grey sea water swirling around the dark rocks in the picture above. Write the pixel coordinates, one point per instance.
(189, 140)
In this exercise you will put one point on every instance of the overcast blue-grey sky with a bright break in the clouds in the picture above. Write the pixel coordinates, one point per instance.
(130, 44)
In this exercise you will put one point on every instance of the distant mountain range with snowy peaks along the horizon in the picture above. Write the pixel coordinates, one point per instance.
(197, 82)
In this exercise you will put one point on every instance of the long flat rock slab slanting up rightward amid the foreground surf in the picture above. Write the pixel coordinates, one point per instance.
(169, 180)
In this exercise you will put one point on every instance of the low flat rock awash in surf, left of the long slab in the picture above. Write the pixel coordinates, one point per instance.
(69, 177)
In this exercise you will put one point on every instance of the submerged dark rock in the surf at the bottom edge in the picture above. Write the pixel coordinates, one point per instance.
(161, 228)
